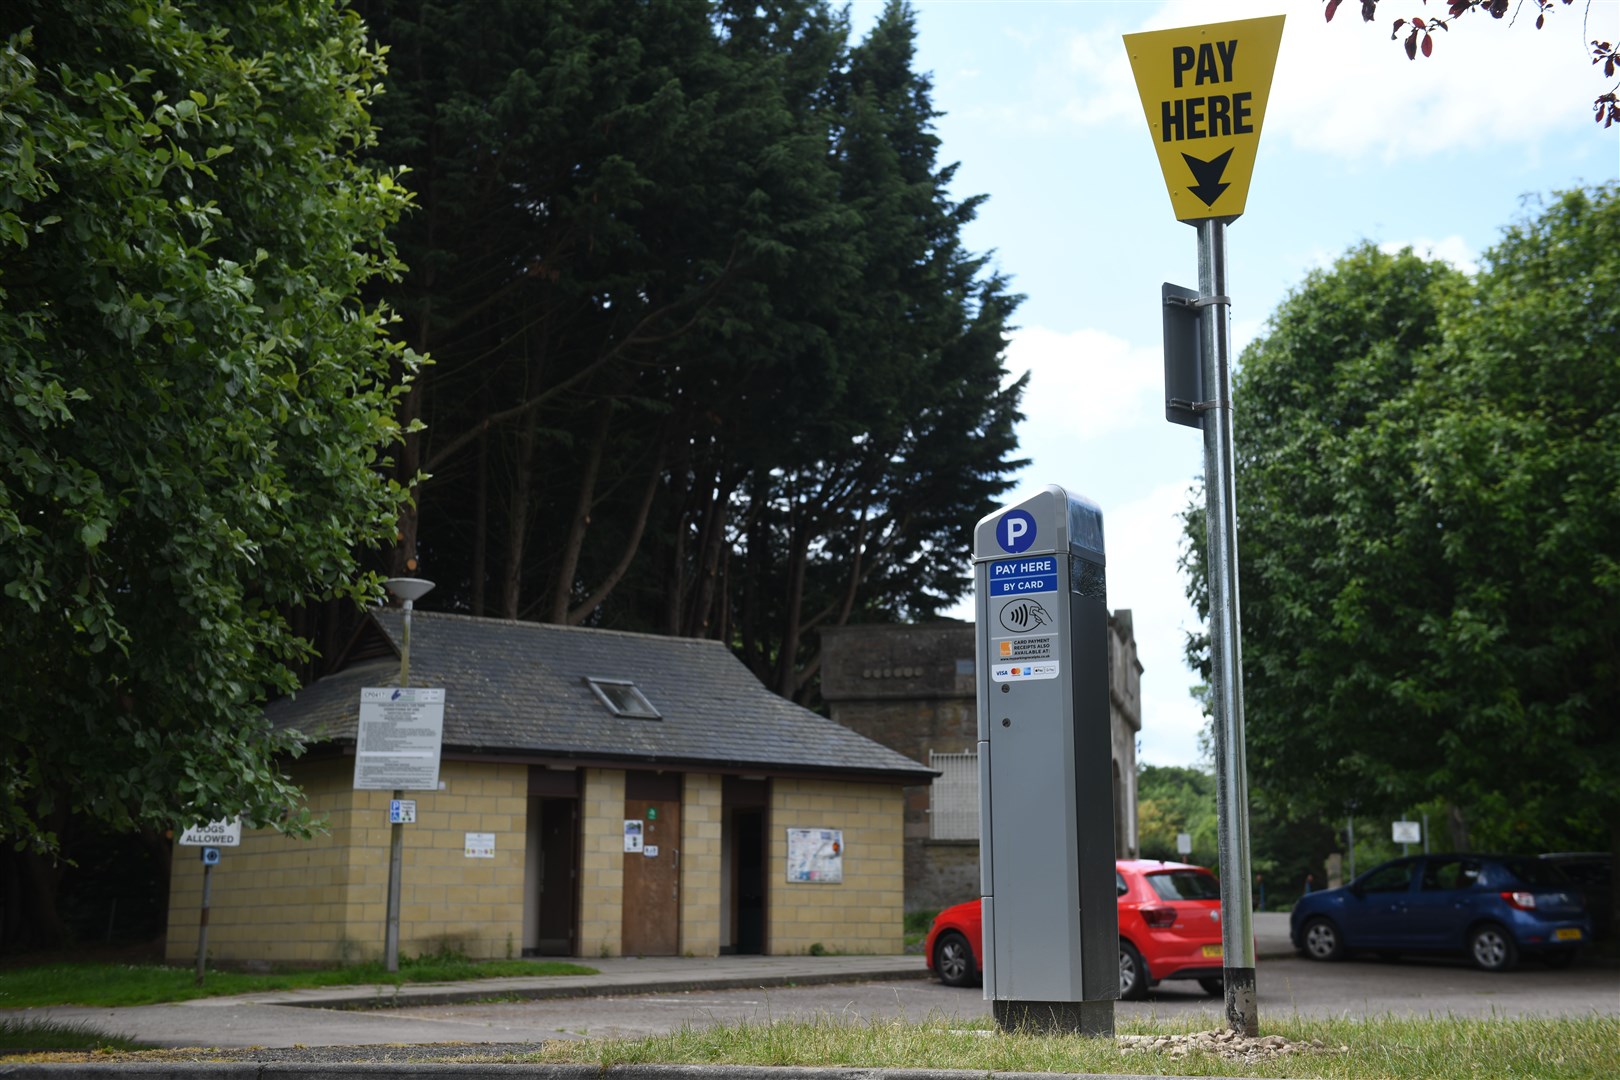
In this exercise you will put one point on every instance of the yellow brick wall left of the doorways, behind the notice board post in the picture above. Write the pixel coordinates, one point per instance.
(323, 901)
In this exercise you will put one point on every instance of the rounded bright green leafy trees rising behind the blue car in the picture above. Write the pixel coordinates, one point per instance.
(1426, 503)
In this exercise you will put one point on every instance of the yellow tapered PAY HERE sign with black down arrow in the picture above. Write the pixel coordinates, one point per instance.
(1204, 91)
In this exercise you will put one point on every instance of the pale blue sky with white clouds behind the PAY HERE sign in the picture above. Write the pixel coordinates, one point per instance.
(1358, 145)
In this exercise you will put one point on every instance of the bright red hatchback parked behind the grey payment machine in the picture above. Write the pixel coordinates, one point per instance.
(1169, 929)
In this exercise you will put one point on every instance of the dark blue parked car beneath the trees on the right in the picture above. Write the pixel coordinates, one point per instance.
(1491, 909)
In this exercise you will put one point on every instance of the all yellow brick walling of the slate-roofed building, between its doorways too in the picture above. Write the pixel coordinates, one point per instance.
(325, 901)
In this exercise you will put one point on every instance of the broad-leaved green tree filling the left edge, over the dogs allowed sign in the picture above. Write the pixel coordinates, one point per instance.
(197, 401)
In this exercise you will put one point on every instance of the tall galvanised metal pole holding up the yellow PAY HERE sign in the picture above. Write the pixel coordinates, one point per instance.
(1221, 501)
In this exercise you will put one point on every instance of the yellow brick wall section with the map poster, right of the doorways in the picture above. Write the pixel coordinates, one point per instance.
(864, 914)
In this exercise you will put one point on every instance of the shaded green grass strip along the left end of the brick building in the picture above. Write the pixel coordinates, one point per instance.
(153, 984)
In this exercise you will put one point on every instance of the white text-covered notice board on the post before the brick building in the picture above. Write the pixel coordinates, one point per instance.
(398, 746)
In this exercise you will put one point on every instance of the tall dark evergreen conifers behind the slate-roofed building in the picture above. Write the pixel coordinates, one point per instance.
(710, 357)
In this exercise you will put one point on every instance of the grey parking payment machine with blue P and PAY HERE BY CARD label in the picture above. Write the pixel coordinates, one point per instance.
(1046, 760)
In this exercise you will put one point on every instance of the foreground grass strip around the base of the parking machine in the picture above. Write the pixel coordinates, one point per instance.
(1352, 1050)
